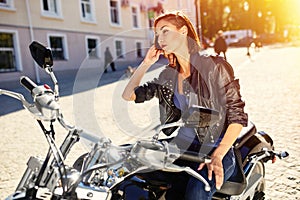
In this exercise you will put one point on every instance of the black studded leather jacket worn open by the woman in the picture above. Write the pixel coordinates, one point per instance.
(213, 83)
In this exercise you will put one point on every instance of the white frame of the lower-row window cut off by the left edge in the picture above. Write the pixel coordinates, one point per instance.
(17, 54)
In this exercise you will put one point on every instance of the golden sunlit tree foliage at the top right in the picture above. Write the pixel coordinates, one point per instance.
(262, 16)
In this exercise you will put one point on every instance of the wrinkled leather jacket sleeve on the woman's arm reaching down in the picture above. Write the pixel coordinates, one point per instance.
(230, 89)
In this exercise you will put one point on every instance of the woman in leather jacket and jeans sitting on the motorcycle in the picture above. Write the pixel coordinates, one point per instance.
(188, 75)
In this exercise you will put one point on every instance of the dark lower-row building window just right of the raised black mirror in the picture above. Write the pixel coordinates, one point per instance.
(57, 45)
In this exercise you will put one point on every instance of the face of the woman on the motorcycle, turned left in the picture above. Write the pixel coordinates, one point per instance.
(169, 38)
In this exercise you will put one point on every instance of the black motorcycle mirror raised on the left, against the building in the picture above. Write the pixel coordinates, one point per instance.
(41, 55)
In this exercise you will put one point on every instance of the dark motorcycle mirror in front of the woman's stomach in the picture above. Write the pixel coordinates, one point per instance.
(198, 116)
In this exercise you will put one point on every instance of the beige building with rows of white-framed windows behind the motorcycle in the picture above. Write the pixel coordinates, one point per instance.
(77, 31)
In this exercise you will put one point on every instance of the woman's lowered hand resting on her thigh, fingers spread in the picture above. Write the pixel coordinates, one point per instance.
(215, 166)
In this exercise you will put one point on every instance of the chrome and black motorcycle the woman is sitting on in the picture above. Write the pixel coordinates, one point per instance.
(111, 171)
